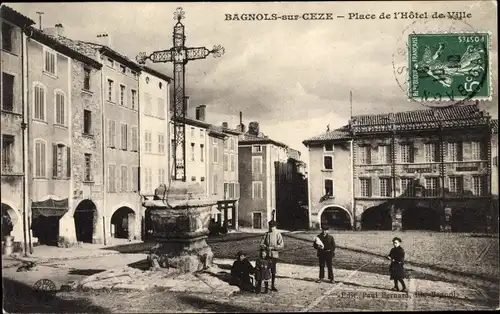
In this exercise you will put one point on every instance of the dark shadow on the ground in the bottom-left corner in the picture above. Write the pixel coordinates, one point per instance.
(19, 297)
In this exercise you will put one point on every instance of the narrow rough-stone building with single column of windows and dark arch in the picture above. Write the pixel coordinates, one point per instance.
(83, 222)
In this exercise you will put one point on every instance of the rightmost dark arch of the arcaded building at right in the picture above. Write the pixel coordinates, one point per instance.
(468, 220)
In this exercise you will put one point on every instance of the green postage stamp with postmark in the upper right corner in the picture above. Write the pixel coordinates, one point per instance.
(448, 67)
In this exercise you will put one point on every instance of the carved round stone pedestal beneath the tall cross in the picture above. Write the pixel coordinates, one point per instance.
(180, 216)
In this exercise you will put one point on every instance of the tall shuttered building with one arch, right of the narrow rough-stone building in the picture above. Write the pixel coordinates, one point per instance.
(120, 90)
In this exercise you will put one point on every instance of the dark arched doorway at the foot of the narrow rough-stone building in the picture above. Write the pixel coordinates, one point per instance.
(85, 219)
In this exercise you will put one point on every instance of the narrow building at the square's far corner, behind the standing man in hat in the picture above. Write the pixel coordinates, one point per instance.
(257, 155)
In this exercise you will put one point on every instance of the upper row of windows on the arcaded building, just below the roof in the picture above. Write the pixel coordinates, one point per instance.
(454, 152)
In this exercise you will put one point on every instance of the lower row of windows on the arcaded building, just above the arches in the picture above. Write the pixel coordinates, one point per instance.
(431, 184)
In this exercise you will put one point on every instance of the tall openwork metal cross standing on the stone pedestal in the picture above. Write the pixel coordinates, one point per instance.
(179, 55)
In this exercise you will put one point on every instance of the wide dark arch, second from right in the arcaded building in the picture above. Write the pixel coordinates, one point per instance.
(420, 218)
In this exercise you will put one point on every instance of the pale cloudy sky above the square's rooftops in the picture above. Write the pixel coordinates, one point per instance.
(293, 77)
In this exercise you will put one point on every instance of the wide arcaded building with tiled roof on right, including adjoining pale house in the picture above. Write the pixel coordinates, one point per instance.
(424, 169)
